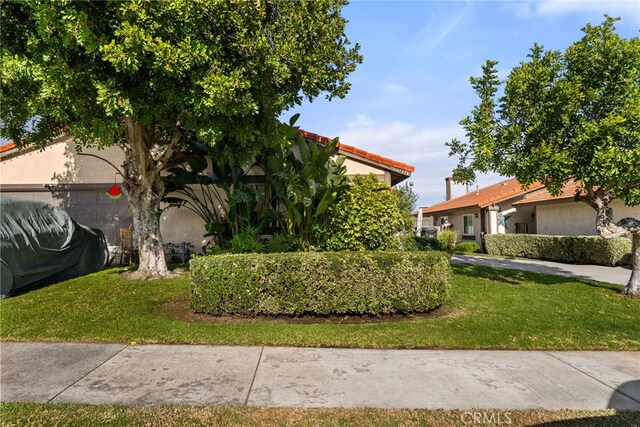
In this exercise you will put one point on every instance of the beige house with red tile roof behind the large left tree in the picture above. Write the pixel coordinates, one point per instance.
(77, 183)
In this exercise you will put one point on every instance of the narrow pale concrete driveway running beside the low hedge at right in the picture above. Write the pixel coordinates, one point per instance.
(617, 275)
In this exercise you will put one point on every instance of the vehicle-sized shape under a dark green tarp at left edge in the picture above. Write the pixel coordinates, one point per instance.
(41, 243)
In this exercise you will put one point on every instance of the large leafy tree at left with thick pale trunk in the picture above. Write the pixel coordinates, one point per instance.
(145, 75)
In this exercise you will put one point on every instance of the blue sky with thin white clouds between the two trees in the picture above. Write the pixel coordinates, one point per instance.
(413, 88)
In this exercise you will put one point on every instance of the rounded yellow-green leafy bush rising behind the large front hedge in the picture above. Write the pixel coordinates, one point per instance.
(366, 217)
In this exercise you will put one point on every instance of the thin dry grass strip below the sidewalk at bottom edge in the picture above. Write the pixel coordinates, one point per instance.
(32, 414)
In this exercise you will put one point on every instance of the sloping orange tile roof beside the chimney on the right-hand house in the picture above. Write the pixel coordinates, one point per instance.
(483, 197)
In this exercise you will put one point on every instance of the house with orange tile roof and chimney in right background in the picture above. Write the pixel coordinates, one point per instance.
(507, 207)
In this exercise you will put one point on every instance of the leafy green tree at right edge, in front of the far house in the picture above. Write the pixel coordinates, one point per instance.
(565, 116)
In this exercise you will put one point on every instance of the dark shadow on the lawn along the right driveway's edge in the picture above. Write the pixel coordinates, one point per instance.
(519, 277)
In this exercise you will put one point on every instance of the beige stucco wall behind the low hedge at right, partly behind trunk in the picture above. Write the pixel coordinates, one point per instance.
(576, 218)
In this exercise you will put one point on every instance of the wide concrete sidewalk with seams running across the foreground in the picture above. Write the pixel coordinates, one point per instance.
(306, 377)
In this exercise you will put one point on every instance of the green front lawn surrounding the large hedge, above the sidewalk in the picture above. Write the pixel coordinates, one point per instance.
(488, 308)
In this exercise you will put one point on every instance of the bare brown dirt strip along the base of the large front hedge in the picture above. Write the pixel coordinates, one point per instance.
(179, 310)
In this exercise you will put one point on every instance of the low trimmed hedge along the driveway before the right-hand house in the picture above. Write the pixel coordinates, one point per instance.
(569, 249)
